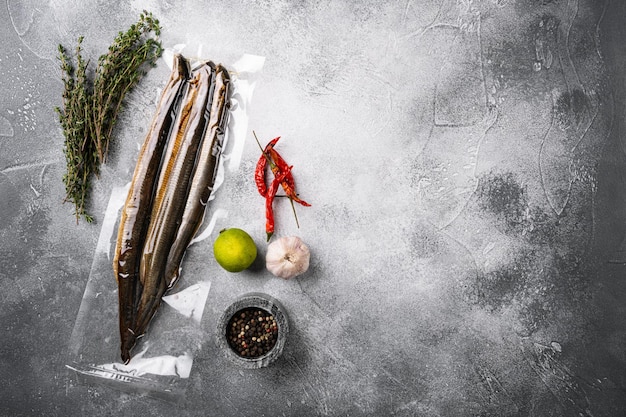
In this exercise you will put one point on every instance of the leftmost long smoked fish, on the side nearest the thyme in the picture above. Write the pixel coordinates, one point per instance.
(132, 226)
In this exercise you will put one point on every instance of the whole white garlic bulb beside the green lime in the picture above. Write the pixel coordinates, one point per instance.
(287, 257)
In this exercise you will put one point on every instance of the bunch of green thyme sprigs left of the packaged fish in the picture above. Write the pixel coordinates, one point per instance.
(91, 106)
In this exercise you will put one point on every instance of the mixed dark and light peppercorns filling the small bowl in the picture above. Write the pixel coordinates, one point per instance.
(252, 332)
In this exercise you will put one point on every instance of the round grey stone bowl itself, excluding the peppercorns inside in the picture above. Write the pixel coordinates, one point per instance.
(263, 302)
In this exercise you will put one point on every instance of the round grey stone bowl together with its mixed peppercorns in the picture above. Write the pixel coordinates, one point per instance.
(252, 331)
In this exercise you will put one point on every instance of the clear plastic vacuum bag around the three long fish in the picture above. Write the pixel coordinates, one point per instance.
(163, 359)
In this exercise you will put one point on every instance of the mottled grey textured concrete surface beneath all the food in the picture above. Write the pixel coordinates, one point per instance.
(465, 162)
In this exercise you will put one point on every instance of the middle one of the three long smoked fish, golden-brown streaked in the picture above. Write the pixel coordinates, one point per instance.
(172, 192)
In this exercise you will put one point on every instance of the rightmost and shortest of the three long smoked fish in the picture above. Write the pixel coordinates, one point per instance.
(203, 177)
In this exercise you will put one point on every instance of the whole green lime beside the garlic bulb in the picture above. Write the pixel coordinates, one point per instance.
(234, 250)
